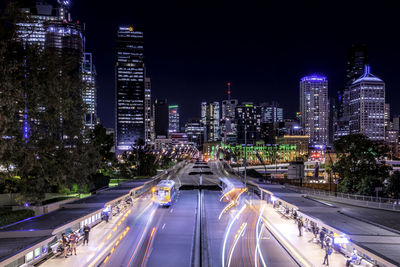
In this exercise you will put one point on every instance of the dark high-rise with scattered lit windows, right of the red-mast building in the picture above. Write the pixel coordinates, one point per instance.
(248, 121)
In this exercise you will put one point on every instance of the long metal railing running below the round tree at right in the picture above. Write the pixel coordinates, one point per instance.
(359, 200)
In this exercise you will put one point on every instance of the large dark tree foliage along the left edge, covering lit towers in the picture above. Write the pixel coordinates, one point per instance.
(42, 141)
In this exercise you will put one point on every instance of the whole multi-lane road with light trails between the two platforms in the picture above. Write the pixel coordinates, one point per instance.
(148, 235)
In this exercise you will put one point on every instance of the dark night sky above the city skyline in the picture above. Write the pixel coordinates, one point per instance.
(263, 48)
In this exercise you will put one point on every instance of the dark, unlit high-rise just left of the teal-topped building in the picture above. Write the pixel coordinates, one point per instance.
(161, 119)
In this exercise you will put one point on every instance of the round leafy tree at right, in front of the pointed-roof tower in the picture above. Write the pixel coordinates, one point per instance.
(359, 164)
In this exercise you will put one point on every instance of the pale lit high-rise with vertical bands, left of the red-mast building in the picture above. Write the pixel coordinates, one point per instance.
(210, 118)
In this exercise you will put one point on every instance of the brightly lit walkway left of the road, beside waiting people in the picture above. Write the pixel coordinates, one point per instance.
(85, 252)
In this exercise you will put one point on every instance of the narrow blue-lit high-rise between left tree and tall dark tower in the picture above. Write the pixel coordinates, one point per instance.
(89, 91)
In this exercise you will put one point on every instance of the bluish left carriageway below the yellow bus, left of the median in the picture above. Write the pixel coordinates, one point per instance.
(162, 237)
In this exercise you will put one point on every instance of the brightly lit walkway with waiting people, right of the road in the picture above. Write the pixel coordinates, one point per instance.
(301, 247)
